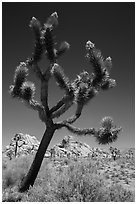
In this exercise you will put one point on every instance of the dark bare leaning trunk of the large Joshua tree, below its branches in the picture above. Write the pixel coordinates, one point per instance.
(34, 169)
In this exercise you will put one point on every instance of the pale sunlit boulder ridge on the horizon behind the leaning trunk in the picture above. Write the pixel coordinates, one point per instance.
(24, 144)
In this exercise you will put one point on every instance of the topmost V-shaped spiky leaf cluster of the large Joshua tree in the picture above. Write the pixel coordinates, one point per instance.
(45, 40)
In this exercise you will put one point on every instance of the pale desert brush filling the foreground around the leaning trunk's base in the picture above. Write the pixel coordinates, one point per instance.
(78, 182)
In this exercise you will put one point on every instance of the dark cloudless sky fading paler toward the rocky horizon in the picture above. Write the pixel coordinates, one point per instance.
(110, 26)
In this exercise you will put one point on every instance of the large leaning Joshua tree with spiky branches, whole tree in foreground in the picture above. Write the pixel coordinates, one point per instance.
(79, 92)
